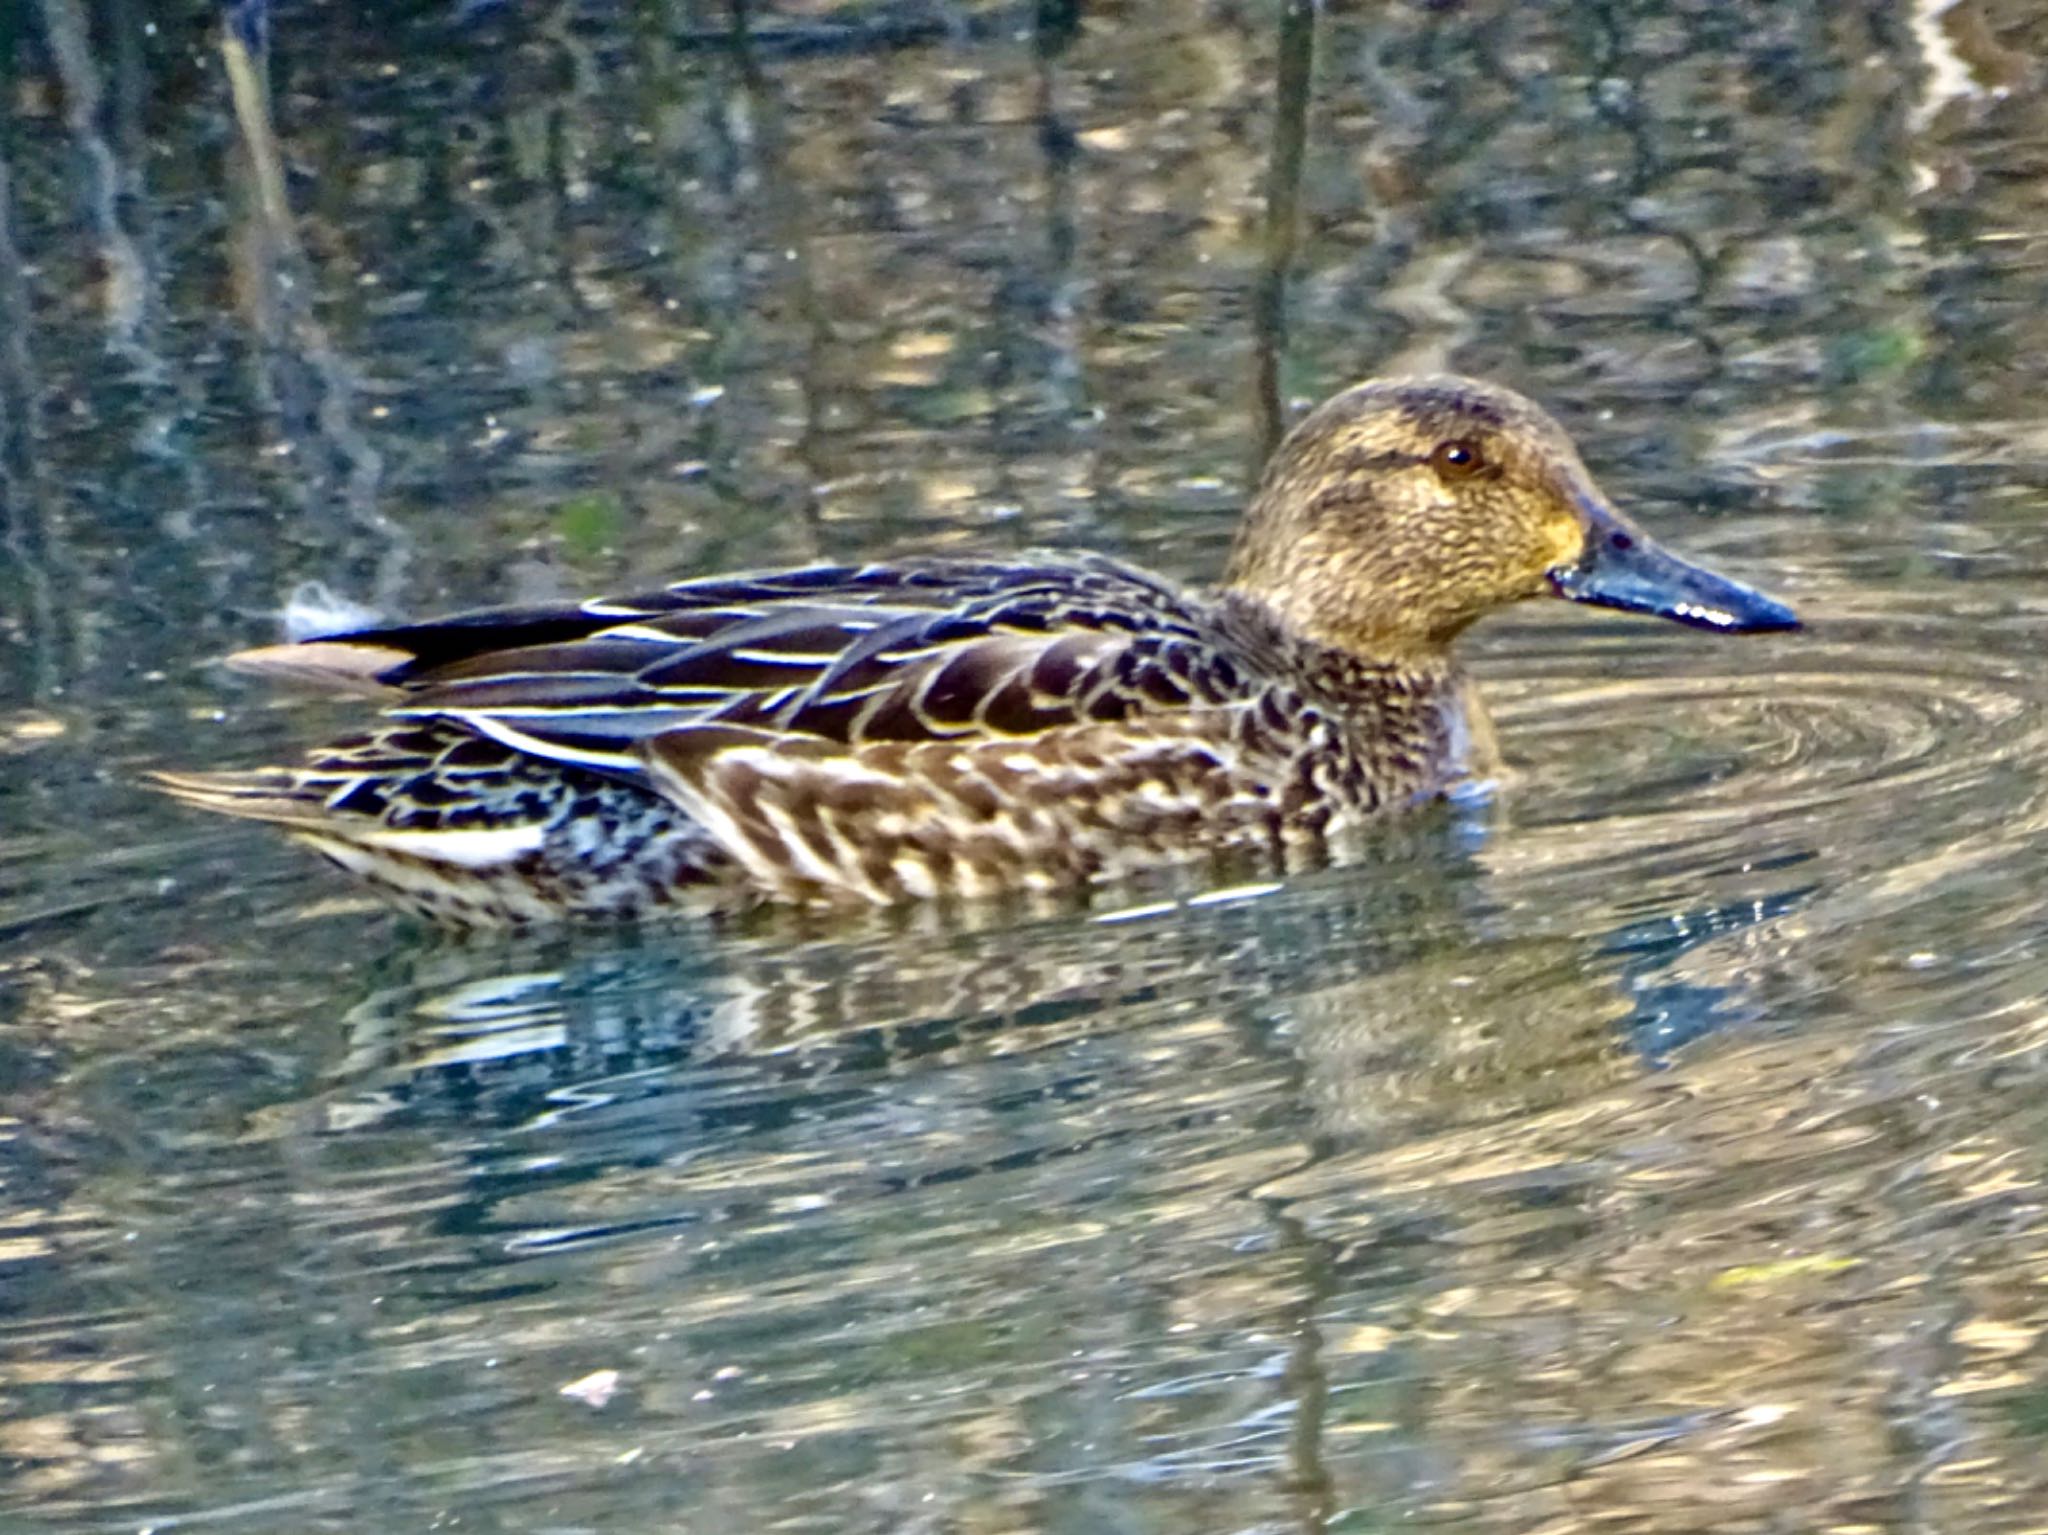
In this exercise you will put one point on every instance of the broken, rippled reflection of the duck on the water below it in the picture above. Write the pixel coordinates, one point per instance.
(1381, 1006)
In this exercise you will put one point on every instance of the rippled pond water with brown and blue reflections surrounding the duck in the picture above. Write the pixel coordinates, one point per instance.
(1656, 1147)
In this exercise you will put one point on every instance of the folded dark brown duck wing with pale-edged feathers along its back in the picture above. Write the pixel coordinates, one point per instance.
(837, 654)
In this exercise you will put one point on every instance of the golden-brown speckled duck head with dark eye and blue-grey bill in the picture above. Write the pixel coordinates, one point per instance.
(1404, 509)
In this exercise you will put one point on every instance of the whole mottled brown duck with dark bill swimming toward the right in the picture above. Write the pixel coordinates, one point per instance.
(962, 728)
